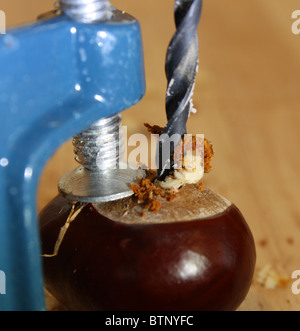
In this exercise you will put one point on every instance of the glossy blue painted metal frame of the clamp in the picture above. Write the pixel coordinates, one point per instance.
(57, 77)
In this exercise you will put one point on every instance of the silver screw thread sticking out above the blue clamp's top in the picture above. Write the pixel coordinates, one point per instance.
(87, 11)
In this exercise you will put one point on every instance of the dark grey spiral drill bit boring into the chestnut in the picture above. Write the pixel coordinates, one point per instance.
(181, 67)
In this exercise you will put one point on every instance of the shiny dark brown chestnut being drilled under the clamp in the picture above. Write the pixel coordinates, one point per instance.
(175, 262)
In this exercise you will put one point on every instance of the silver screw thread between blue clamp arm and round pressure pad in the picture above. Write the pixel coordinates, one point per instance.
(101, 146)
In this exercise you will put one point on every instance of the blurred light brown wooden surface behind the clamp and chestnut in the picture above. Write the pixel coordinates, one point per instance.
(247, 96)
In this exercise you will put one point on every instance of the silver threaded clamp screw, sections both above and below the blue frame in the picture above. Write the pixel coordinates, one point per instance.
(101, 146)
